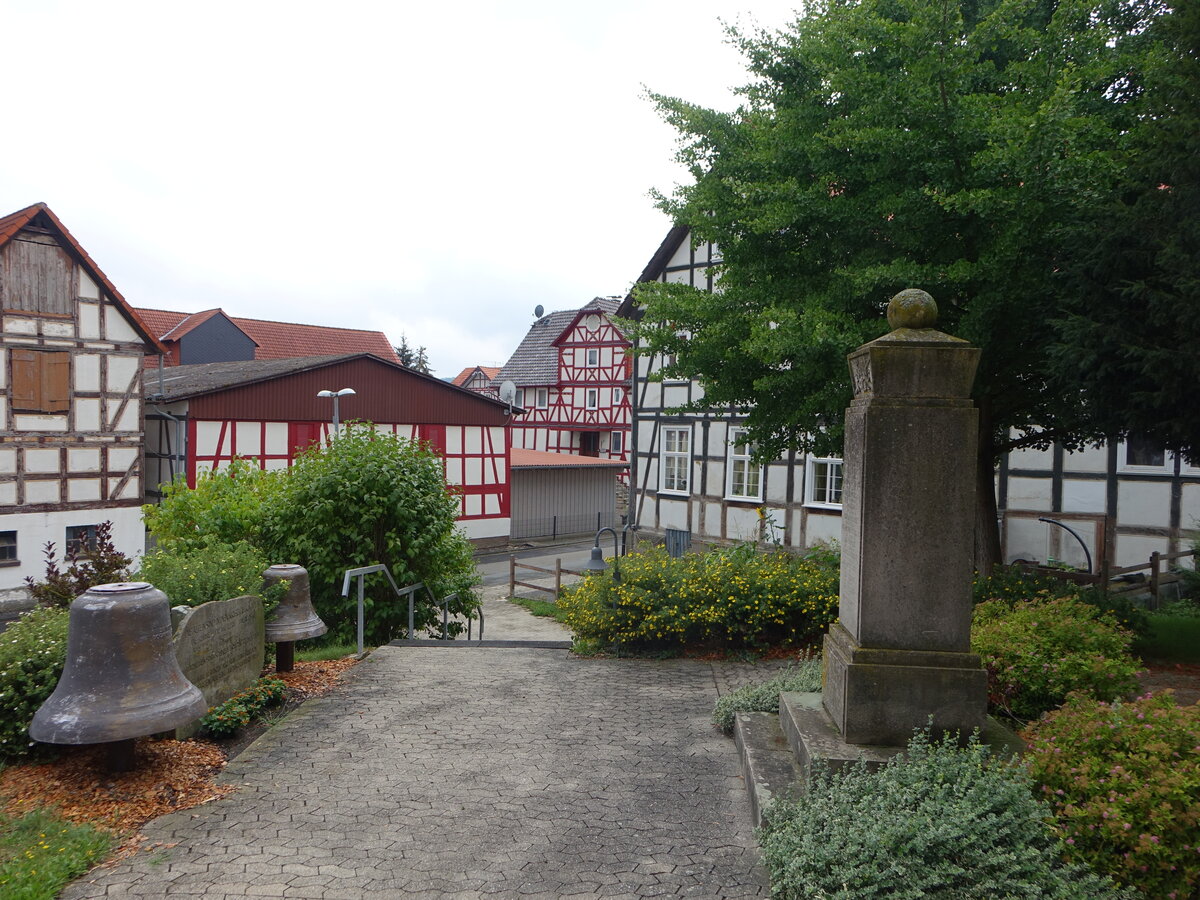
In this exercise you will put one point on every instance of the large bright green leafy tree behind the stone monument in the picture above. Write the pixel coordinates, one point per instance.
(952, 146)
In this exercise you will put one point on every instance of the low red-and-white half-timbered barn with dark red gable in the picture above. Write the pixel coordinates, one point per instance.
(201, 417)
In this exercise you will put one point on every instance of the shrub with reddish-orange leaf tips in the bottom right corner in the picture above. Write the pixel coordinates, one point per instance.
(1124, 781)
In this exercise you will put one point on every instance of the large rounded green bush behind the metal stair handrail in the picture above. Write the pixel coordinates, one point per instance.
(370, 499)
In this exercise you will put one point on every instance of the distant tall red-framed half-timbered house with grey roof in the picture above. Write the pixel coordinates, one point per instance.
(573, 379)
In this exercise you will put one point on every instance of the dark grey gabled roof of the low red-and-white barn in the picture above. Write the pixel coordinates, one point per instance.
(195, 381)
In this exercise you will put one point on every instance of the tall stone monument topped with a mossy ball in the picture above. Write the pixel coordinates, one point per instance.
(902, 650)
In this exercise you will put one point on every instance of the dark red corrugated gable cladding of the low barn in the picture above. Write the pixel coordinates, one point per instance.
(385, 394)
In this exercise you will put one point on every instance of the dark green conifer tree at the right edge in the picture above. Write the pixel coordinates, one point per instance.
(1132, 325)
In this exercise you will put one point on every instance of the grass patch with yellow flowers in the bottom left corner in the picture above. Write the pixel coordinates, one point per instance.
(40, 854)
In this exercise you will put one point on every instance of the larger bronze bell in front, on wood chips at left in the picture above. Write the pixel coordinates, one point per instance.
(121, 680)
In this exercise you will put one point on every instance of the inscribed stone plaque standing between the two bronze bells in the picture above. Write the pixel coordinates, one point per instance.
(220, 649)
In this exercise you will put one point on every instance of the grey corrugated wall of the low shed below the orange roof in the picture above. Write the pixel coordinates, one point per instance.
(568, 501)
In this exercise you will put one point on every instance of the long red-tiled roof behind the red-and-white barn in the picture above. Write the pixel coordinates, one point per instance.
(279, 340)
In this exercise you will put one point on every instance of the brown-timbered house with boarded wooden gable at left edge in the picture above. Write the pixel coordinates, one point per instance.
(71, 398)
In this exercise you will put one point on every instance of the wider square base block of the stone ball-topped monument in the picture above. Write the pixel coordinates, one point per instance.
(878, 698)
